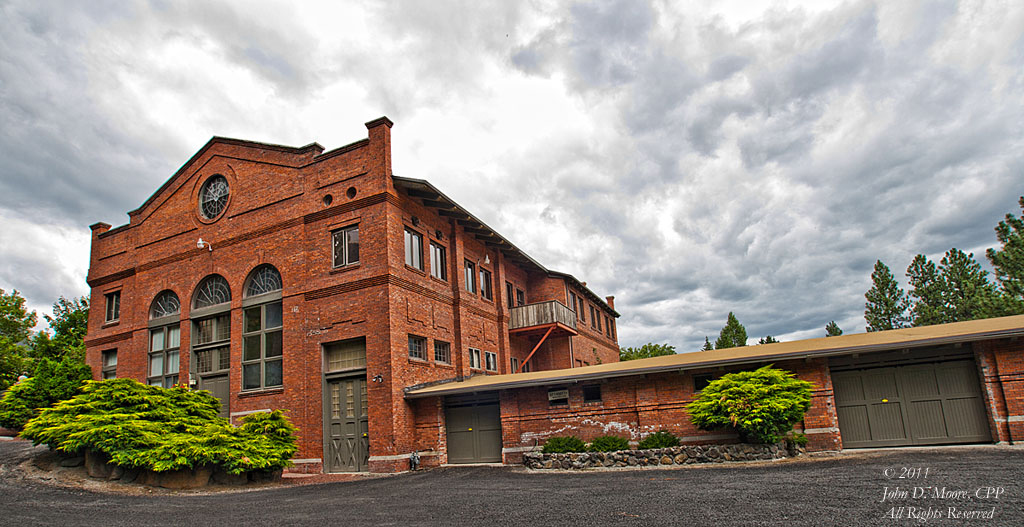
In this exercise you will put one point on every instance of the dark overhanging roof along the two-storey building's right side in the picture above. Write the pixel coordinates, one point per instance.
(431, 197)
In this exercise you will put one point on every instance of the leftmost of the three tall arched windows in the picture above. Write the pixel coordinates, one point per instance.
(165, 338)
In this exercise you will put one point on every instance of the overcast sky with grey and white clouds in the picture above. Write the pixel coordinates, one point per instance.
(690, 160)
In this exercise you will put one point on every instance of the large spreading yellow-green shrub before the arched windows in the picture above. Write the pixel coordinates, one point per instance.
(163, 429)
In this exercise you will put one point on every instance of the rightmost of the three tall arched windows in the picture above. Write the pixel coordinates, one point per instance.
(262, 334)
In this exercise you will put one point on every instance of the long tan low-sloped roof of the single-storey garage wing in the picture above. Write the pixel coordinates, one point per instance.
(832, 346)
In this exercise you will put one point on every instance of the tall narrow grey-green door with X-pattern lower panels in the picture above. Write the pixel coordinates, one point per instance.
(347, 425)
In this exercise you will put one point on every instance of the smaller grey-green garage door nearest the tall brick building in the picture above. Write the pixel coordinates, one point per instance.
(475, 429)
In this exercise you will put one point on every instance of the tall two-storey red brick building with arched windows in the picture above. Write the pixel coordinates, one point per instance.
(320, 284)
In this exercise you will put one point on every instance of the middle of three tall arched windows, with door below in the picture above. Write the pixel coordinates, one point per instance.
(211, 335)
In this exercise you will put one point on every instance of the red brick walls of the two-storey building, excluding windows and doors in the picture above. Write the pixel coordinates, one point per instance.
(284, 205)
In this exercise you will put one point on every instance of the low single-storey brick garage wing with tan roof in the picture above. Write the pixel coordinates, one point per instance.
(949, 384)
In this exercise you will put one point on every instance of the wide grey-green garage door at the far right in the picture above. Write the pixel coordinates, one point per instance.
(912, 405)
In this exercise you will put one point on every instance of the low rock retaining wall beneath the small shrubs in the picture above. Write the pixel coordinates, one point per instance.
(658, 457)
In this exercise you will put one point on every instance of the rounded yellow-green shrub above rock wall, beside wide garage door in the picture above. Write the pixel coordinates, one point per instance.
(761, 406)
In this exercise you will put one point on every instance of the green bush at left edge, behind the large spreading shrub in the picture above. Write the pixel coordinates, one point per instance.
(53, 382)
